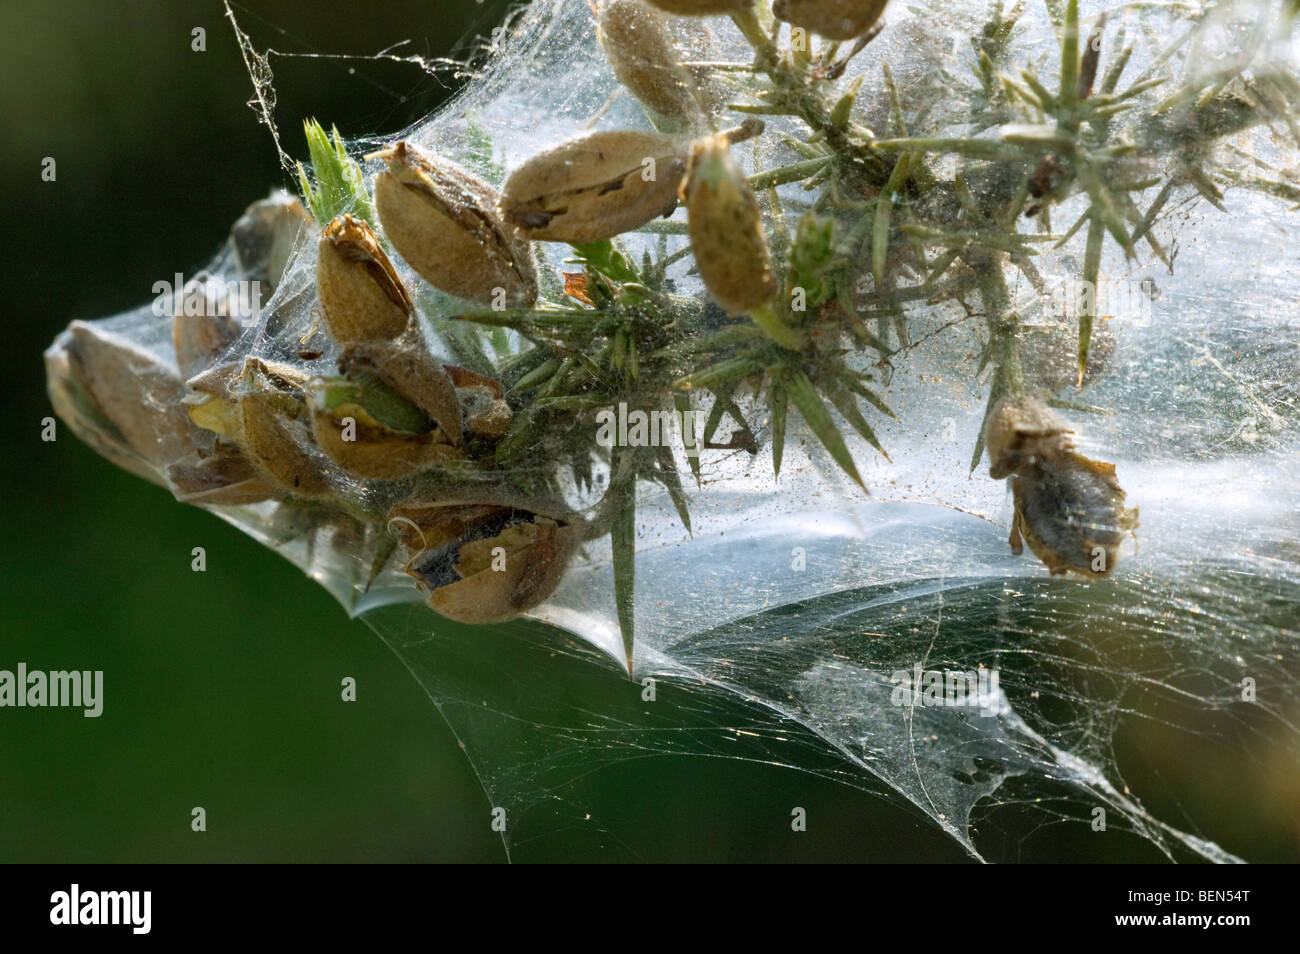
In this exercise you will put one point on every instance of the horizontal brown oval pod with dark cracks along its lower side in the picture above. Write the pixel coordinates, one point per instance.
(596, 187)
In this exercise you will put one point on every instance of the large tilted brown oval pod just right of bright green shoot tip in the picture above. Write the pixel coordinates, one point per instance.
(444, 223)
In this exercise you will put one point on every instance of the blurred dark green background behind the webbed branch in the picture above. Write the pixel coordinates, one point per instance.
(223, 688)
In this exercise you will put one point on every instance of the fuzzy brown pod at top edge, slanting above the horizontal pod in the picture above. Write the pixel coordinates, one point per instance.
(639, 46)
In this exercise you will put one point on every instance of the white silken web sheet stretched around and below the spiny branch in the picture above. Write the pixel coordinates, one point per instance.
(778, 627)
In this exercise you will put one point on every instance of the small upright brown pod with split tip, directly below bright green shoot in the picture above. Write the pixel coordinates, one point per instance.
(361, 293)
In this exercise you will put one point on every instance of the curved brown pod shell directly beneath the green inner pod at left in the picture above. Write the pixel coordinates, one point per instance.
(369, 449)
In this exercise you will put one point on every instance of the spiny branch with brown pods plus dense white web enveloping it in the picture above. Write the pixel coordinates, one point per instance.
(564, 348)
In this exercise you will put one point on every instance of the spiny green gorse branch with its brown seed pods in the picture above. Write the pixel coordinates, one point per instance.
(783, 294)
